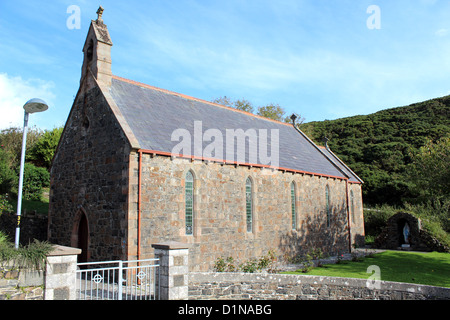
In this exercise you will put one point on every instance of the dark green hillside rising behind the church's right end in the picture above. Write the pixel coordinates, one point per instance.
(379, 146)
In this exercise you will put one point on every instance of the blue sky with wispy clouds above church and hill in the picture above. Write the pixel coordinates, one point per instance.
(314, 57)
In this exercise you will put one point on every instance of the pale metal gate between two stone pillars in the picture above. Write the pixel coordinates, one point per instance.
(118, 280)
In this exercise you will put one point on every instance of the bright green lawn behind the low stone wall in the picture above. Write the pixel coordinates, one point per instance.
(400, 266)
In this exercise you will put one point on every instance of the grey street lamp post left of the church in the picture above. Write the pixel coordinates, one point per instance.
(32, 106)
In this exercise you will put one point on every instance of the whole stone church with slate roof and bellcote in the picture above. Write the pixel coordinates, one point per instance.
(138, 165)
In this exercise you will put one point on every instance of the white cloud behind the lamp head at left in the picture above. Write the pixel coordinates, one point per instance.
(14, 92)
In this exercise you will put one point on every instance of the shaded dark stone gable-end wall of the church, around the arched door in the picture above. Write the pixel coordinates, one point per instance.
(90, 175)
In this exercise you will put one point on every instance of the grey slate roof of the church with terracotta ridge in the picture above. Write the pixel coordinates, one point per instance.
(153, 114)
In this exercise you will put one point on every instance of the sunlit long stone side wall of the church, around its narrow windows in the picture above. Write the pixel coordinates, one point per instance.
(219, 205)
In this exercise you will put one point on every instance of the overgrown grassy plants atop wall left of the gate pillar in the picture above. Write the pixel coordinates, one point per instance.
(32, 256)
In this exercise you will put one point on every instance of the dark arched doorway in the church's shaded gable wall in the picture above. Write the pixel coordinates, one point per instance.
(80, 235)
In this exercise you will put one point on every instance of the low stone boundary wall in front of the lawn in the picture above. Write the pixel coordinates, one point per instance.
(245, 286)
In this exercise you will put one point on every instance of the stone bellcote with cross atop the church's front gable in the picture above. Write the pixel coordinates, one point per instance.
(97, 53)
